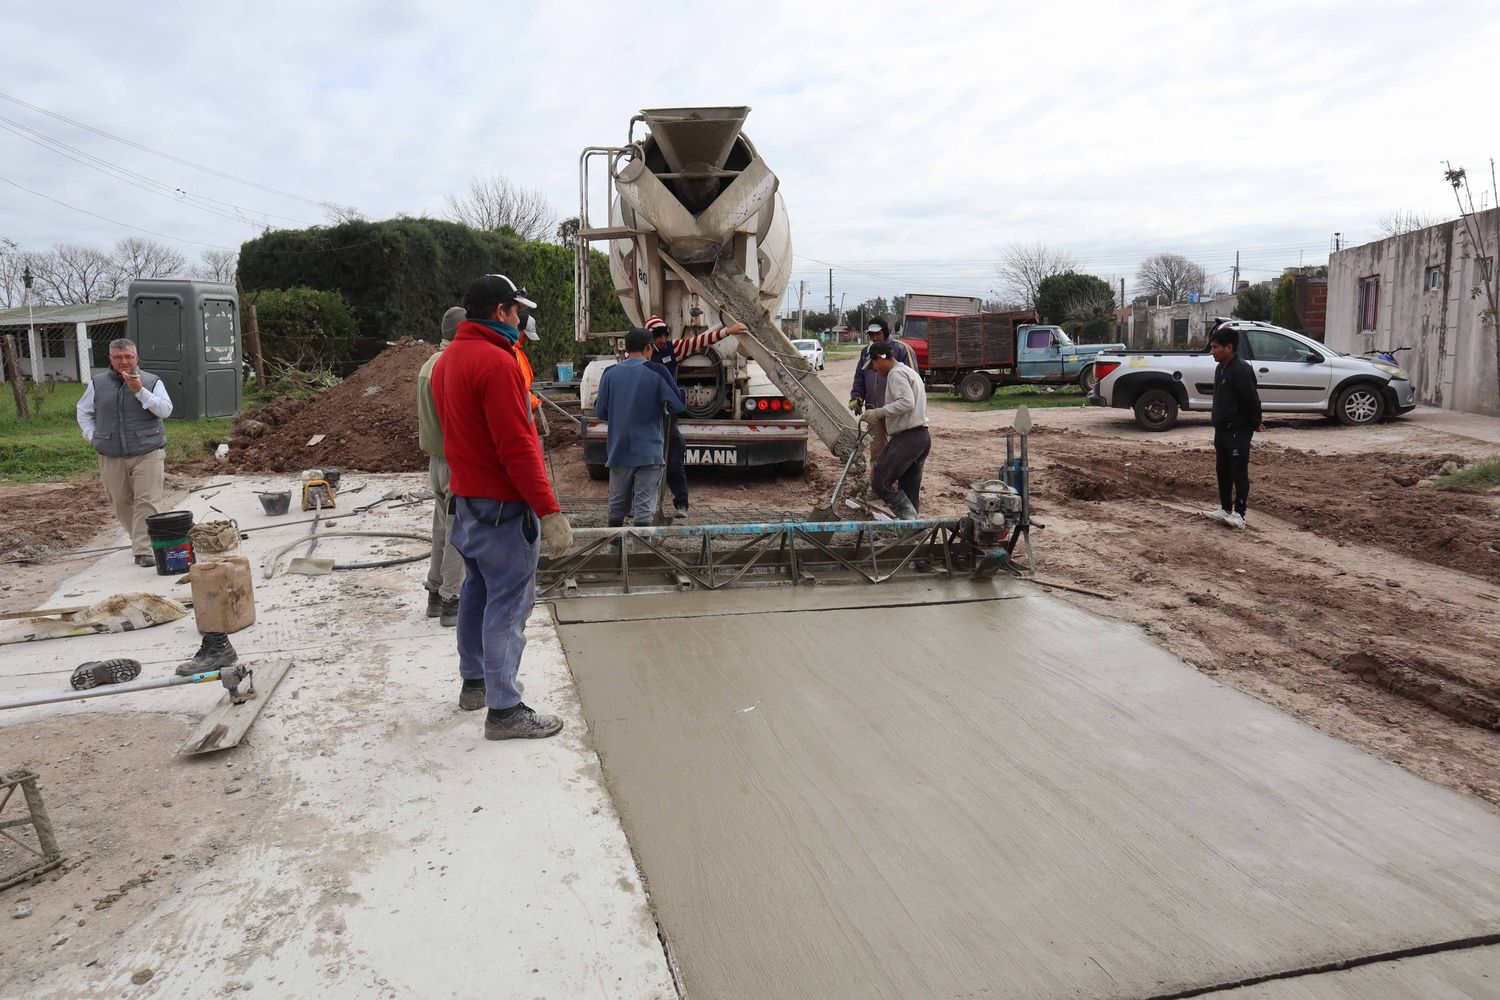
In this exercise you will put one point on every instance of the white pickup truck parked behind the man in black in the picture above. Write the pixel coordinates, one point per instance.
(1297, 376)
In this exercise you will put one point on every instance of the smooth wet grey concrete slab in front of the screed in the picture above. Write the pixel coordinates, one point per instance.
(1007, 798)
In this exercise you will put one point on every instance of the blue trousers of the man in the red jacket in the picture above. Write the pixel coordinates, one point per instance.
(500, 590)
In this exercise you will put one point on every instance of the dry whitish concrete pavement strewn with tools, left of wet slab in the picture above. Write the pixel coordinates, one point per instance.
(364, 842)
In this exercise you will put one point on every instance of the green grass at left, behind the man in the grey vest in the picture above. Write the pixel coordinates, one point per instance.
(50, 448)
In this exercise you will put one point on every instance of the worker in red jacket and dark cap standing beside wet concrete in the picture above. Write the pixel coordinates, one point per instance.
(502, 503)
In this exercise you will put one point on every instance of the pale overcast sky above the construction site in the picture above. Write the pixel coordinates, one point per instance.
(914, 142)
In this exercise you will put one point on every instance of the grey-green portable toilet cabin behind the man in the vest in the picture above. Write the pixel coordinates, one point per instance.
(188, 334)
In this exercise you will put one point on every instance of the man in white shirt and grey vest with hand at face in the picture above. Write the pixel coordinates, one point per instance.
(121, 416)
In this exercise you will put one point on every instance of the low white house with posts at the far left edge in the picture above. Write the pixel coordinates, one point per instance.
(65, 344)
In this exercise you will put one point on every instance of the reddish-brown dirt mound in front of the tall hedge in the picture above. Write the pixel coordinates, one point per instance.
(368, 422)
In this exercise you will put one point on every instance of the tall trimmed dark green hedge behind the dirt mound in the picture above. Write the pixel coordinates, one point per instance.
(401, 275)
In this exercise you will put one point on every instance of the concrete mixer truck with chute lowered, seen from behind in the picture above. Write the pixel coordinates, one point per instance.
(698, 236)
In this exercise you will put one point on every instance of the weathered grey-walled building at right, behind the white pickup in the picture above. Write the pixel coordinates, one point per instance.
(1424, 290)
